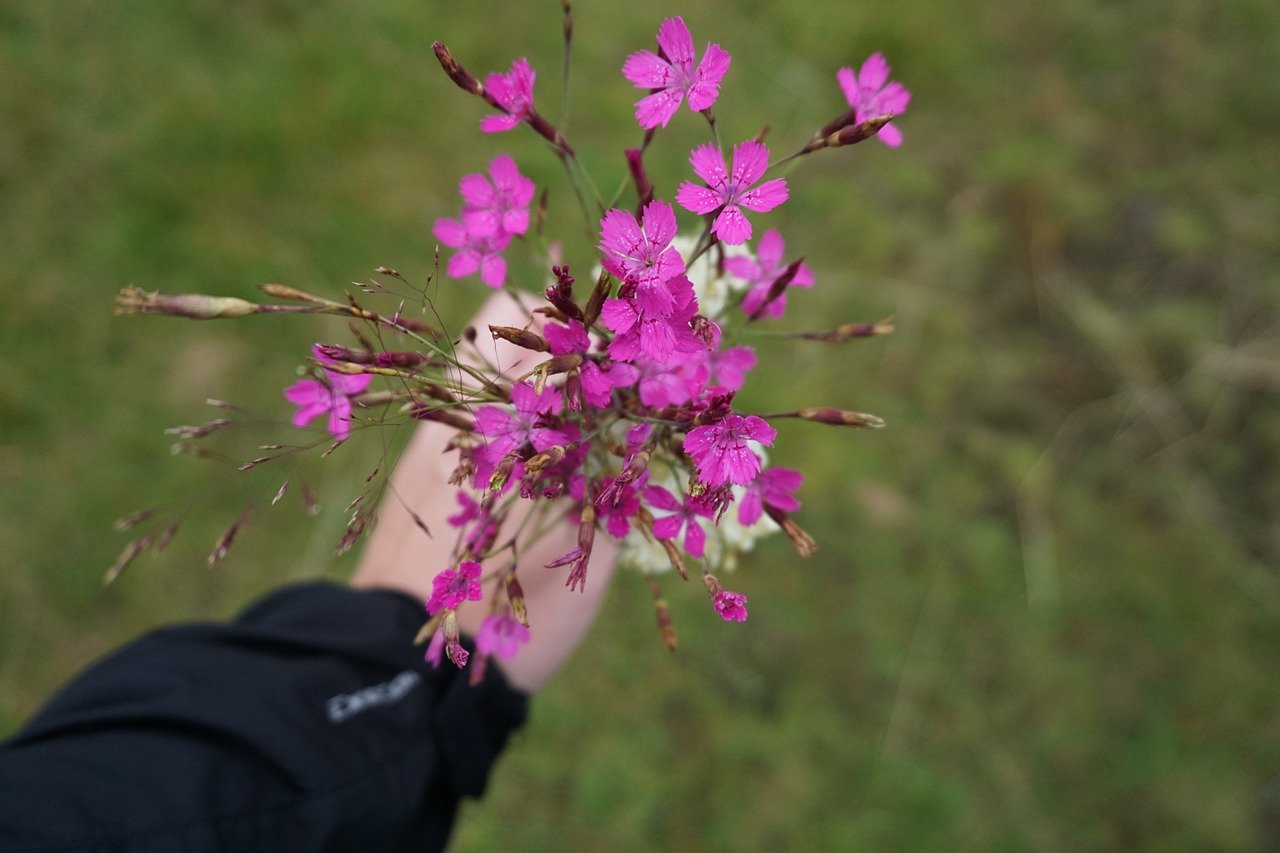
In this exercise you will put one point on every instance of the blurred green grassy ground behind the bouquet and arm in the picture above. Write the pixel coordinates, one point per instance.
(1046, 613)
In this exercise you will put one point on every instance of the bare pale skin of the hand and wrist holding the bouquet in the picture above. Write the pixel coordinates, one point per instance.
(401, 556)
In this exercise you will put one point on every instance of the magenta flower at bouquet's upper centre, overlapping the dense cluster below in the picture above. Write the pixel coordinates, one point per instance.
(642, 254)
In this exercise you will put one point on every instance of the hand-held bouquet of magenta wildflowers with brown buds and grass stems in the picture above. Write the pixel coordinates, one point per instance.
(627, 421)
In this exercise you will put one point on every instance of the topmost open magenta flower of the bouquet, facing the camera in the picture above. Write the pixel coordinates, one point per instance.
(674, 75)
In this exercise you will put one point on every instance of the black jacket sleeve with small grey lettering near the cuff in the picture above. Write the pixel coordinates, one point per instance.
(312, 723)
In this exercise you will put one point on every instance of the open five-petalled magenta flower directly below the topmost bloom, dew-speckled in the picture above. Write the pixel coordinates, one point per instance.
(732, 191)
